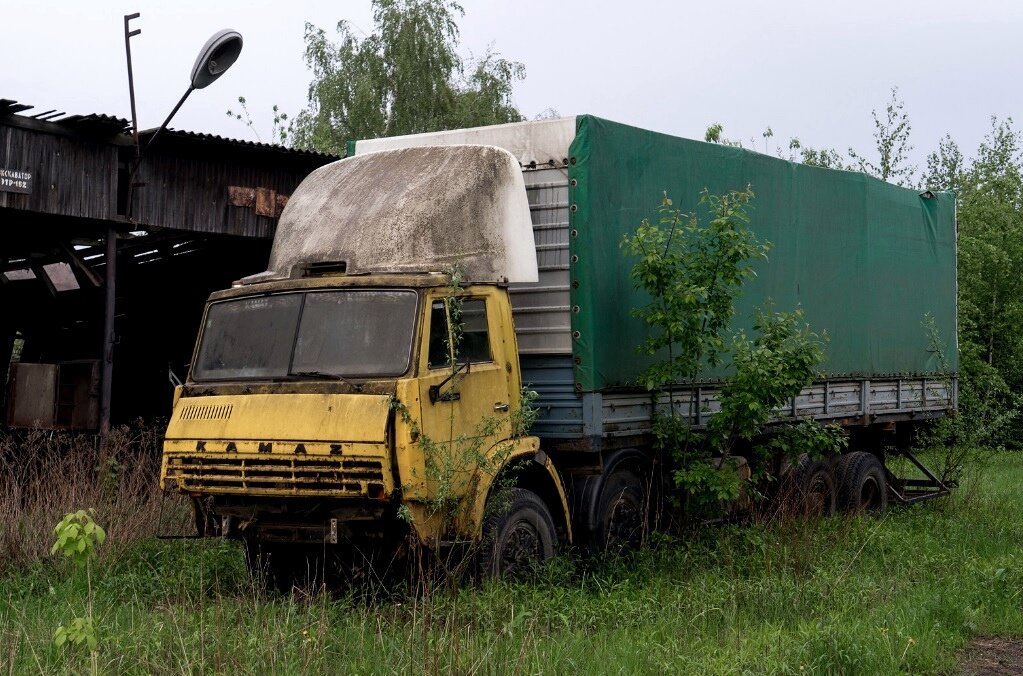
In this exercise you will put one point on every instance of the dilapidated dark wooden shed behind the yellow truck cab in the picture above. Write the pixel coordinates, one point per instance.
(200, 214)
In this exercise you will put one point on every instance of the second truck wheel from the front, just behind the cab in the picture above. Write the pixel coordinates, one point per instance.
(621, 517)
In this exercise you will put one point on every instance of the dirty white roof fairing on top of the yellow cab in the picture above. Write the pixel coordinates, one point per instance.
(411, 210)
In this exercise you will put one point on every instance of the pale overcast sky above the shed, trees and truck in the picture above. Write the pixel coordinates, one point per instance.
(811, 69)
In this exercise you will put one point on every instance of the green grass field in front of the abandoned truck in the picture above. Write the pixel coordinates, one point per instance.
(854, 596)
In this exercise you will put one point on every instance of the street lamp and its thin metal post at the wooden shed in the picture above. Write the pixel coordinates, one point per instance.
(216, 57)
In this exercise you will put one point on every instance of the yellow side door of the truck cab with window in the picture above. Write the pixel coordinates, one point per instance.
(465, 385)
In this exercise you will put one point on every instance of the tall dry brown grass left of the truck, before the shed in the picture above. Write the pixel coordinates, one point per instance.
(46, 475)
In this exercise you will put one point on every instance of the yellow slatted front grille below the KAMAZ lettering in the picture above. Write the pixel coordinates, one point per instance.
(270, 476)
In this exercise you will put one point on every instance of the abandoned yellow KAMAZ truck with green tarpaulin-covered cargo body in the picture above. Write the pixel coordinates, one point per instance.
(329, 395)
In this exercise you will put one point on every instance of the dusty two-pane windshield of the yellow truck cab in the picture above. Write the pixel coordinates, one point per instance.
(343, 334)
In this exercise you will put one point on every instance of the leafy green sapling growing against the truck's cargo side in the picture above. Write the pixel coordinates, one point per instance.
(694, 272)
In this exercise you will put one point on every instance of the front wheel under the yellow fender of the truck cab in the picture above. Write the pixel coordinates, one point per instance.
(517, 537)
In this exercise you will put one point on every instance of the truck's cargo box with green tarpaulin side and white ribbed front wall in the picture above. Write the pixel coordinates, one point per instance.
(867, 261)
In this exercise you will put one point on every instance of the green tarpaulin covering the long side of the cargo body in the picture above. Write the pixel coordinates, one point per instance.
(869, 262)
